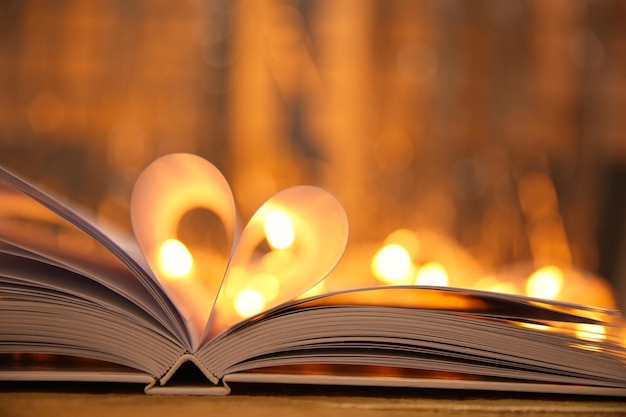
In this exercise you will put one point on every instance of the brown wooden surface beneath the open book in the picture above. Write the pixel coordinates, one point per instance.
(20, 400)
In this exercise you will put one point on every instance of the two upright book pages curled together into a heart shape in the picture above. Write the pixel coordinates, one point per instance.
(291, 243)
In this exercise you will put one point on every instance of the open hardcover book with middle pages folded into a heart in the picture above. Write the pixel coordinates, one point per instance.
(108, 307)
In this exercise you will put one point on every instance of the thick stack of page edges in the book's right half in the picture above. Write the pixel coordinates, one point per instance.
(491, 351)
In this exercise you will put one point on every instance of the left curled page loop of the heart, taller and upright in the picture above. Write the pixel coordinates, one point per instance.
(167, 190)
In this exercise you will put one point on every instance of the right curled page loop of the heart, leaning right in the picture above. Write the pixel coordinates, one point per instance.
(291, 243)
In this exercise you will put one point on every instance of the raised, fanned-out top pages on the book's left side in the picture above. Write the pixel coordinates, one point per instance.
(38, 223)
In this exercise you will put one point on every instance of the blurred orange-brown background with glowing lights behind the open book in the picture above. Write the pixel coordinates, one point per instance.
(486, 138)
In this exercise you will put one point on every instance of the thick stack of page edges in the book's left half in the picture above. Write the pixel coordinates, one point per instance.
(42, 320)
